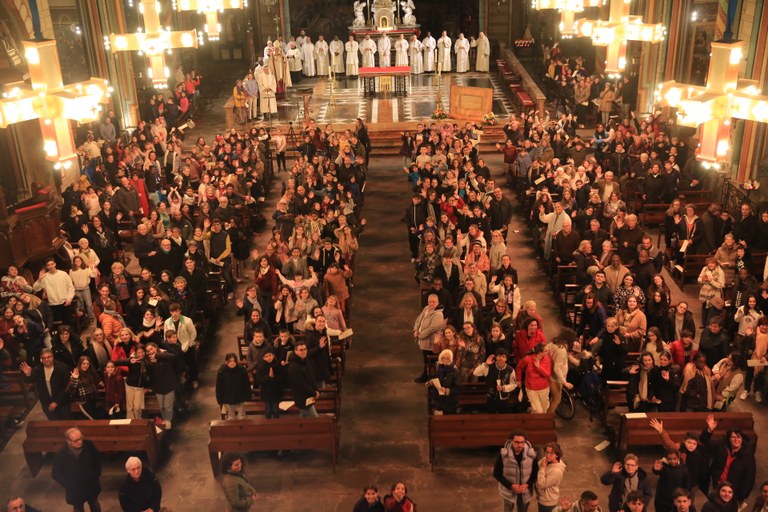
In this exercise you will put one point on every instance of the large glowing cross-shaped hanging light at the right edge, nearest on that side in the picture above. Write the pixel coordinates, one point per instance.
(711, 107)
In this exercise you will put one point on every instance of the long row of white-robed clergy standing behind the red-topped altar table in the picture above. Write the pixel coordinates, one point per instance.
(300, 56)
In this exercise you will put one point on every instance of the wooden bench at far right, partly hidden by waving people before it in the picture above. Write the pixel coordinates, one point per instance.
(636, 431)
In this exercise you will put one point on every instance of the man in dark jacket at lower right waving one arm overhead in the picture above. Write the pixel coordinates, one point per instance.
(733, 459)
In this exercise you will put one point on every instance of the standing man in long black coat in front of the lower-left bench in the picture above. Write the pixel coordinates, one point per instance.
(77, 467)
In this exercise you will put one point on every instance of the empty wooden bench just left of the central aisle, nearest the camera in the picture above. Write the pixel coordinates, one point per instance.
(256, 434)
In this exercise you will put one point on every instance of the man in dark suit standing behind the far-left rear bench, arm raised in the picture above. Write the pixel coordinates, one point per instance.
(51, 379)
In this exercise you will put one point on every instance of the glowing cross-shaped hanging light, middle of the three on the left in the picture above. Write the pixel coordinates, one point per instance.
(154, 42)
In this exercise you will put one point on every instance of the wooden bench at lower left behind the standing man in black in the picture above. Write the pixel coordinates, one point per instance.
(134, 436)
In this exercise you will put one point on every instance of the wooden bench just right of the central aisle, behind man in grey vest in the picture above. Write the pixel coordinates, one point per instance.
(477, 430)
